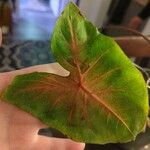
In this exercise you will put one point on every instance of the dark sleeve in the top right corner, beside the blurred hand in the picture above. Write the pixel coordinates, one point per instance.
(145, 13)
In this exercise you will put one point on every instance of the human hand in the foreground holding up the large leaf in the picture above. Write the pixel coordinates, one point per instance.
(19, 129)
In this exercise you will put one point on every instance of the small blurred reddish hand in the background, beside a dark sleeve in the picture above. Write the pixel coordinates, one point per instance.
(135, 22)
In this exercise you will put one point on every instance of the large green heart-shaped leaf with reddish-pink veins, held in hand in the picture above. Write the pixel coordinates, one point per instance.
(103, 100)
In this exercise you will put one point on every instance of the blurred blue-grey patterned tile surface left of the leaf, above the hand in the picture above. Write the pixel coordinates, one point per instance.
(21, 54)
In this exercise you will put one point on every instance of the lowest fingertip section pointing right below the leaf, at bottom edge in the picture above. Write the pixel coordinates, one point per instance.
(57, 144)
